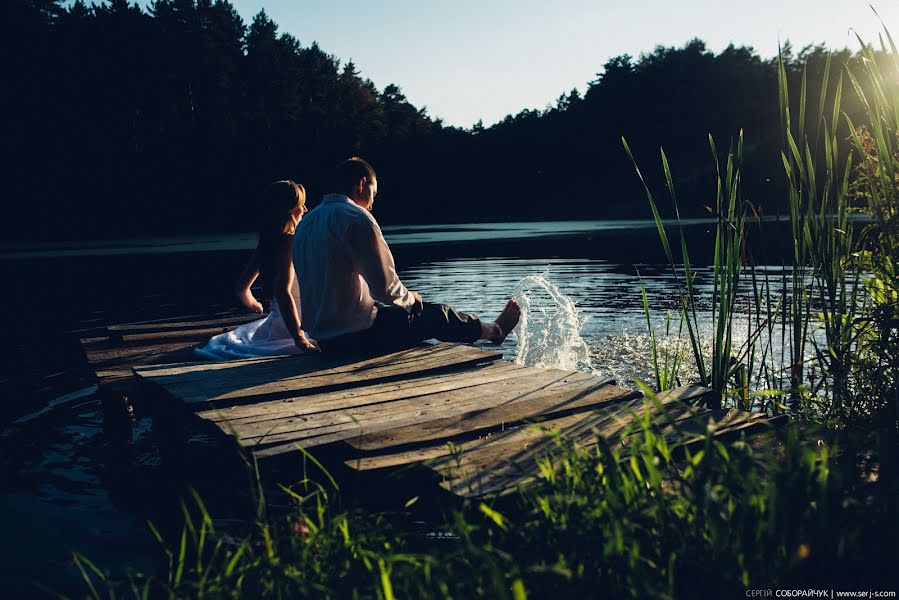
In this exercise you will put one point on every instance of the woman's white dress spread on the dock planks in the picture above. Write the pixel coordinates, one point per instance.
(265, 337)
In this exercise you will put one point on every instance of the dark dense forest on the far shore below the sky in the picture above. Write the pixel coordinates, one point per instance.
(121, 121)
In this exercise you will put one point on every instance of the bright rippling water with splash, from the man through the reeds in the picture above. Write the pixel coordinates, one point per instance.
(585, 314)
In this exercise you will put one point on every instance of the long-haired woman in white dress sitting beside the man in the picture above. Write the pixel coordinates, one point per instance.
(284, 204)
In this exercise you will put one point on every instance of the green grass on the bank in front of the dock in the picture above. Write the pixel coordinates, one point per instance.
(650, 520)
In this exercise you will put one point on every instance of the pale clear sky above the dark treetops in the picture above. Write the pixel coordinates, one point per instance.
(471, 60)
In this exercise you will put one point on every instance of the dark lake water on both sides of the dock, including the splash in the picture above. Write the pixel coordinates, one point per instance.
(70, 484)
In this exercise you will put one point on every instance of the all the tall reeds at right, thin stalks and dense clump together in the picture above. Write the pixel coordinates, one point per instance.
(825, 334)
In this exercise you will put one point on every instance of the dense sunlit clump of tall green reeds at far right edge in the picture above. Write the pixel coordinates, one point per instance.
(854, 286)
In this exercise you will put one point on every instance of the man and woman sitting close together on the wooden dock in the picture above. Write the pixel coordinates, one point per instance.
(333, 284)
